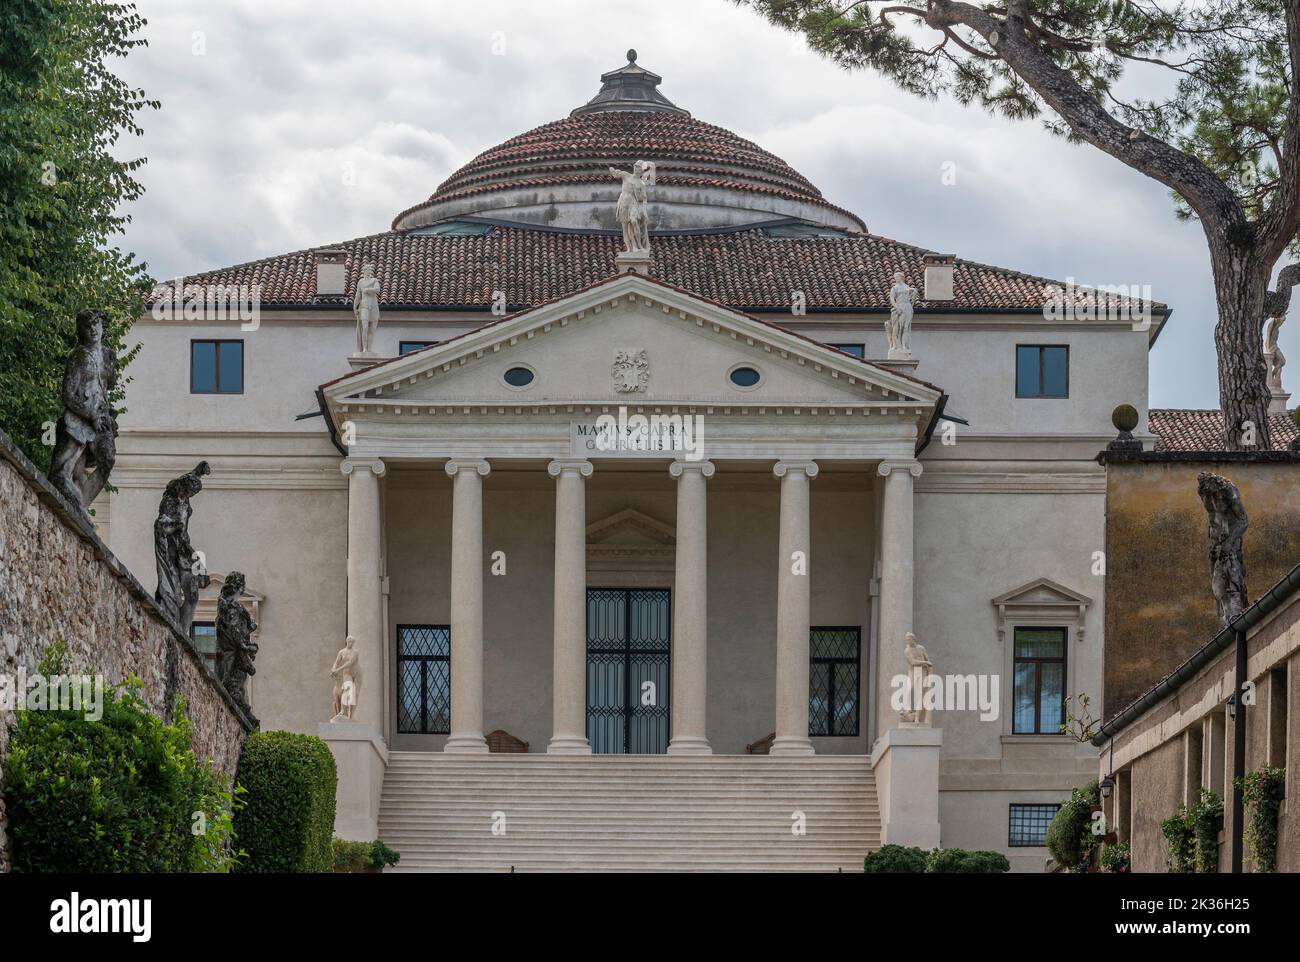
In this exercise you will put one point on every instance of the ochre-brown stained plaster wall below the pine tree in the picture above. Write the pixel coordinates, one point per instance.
(1159, 603)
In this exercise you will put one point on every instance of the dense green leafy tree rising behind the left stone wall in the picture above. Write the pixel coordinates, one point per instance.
(62, 192)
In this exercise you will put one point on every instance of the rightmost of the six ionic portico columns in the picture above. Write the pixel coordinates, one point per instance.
(896, 582)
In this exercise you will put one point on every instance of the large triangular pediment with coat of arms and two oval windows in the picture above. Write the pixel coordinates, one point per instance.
(632, 341)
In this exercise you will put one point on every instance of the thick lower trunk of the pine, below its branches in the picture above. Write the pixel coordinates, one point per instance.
(1241, 285)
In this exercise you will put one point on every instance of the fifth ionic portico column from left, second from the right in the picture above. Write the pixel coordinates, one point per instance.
(794, 610)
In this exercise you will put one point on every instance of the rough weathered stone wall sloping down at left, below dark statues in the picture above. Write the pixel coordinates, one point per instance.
(60, 582)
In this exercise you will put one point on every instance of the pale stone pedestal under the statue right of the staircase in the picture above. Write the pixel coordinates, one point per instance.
(905, 762)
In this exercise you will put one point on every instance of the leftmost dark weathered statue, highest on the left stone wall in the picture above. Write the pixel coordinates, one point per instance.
(86, 437)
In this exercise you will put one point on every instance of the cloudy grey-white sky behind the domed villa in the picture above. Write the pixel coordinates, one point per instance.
(292, 124)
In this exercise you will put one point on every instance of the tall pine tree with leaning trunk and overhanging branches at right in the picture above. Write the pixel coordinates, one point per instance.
(1224, 136)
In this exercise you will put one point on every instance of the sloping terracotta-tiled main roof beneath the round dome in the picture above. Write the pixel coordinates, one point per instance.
(748, 270)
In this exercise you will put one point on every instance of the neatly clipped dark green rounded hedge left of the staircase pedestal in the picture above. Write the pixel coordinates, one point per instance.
(288, 818)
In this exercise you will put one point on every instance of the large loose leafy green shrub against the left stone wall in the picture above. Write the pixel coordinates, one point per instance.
(124, 794)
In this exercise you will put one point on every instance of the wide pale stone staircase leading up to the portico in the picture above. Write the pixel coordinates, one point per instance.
(629, 813)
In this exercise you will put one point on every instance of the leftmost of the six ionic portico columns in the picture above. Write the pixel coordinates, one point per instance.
(365, 600)
